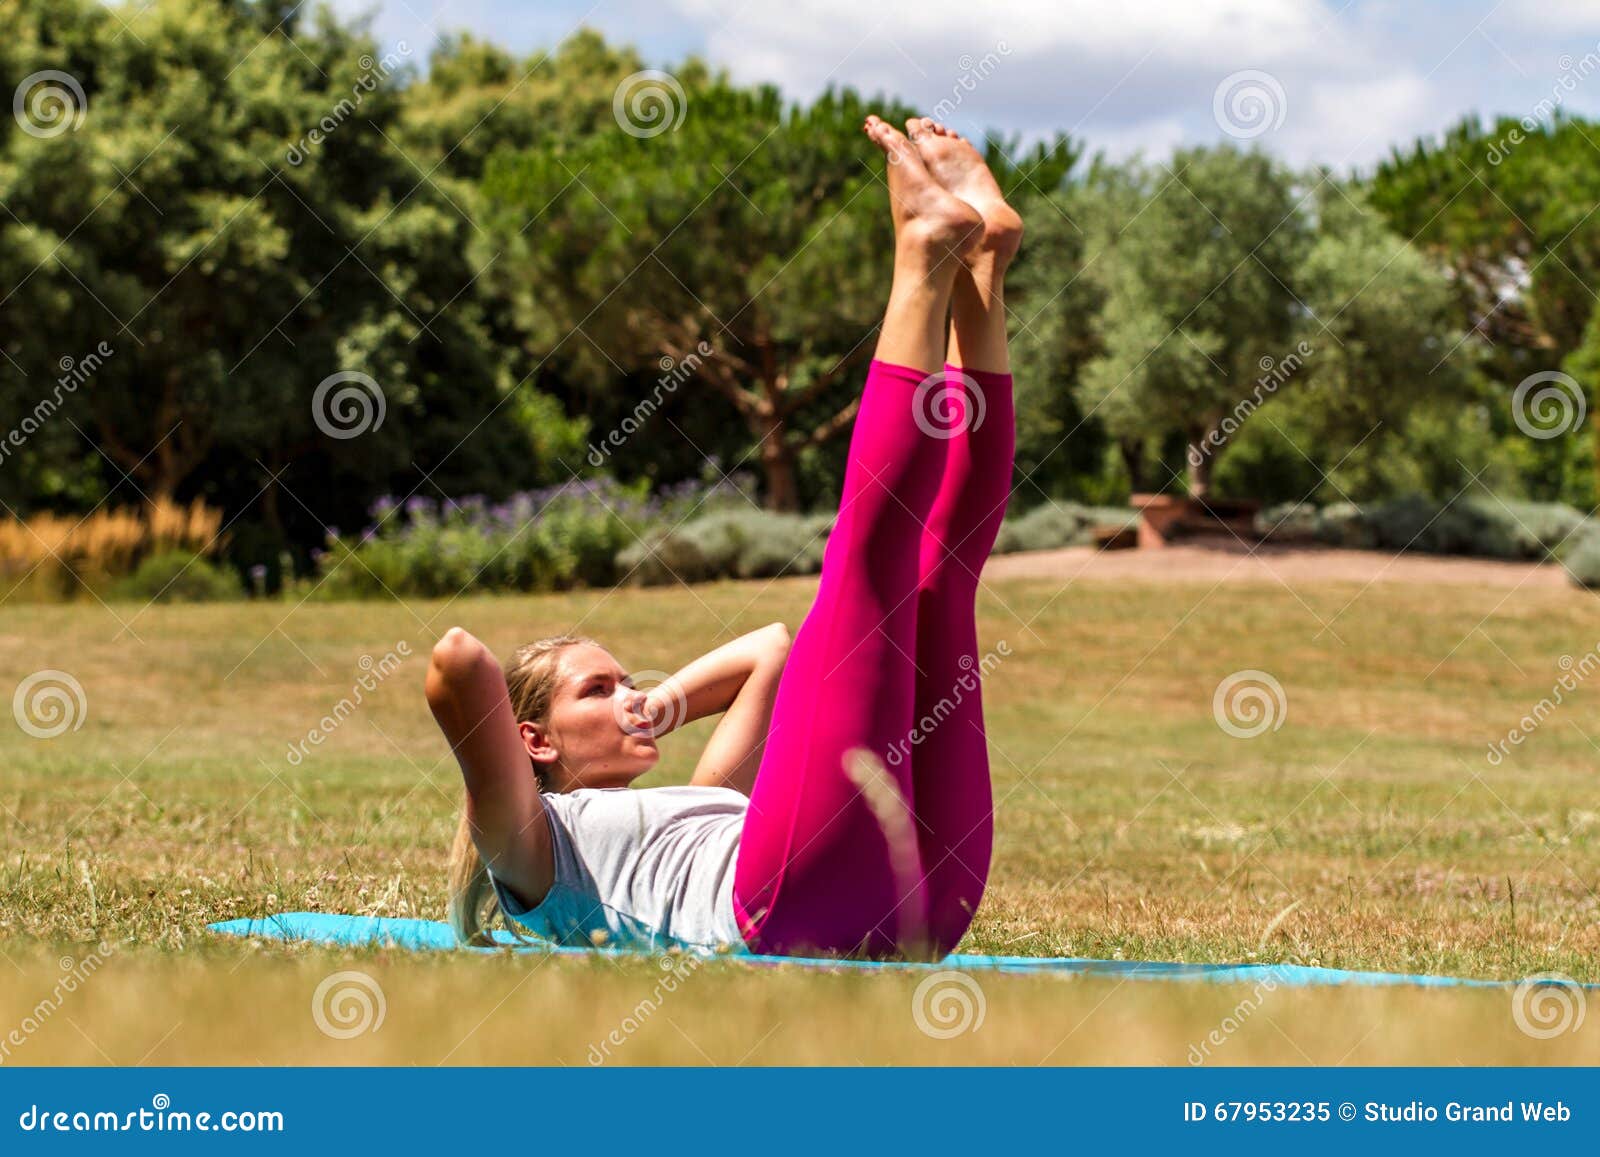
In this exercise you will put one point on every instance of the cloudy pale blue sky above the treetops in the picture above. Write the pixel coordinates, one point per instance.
(1334, 82)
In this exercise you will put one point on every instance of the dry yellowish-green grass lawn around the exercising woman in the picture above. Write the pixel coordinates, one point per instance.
(1367, 833)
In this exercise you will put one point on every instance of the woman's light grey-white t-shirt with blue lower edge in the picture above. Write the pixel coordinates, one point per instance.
(650, 867)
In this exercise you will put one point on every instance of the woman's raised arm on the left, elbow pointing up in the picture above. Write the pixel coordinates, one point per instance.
(466, 692)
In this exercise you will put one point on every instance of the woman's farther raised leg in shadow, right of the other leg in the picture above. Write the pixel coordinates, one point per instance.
(951, 782)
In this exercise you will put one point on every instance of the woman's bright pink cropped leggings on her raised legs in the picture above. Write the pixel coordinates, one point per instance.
(887, 662)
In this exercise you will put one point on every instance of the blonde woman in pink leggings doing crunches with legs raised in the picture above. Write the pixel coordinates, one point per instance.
(814, 823)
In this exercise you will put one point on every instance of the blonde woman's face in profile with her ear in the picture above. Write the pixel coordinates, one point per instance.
(598, 727)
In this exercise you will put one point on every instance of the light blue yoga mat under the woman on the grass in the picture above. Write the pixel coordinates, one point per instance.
(433, 935)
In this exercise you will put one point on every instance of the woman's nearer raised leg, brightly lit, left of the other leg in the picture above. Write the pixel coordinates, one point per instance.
(828, 862)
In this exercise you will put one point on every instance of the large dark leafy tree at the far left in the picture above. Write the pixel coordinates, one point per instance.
(231, 215)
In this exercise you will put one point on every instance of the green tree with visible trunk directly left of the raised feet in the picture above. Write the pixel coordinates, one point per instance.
(732, 218)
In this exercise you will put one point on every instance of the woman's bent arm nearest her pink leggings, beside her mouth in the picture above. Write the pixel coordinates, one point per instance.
(738, 679)
